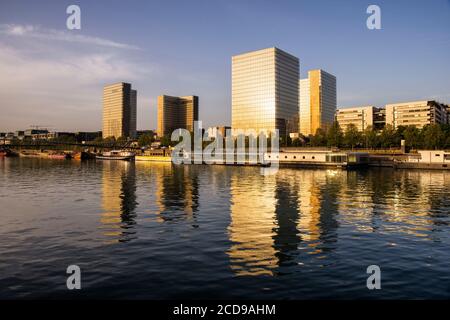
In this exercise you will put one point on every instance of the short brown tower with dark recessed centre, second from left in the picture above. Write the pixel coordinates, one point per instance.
(176, 113)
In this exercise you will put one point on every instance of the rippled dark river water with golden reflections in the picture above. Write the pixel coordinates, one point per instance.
(161, 231)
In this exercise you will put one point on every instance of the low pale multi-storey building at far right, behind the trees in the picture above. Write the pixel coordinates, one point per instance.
(416, 113)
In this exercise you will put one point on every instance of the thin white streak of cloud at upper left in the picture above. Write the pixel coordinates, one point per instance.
(38, 32)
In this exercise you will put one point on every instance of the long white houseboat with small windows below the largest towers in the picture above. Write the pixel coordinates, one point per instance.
(318, 158)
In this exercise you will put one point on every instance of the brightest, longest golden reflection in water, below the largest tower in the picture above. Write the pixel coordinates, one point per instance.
(251, 229)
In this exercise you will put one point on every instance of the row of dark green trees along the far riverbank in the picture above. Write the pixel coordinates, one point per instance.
(387, 140)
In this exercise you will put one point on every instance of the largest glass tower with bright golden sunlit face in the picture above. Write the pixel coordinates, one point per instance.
(265, 91)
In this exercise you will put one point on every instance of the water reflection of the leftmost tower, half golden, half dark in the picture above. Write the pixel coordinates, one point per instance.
(118, 200)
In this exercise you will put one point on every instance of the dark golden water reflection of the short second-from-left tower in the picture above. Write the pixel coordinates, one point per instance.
(177, 192)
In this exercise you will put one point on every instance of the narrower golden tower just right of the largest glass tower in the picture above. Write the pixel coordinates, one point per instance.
(317, 101)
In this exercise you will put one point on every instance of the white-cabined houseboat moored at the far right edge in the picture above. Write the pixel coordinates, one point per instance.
(424, 159)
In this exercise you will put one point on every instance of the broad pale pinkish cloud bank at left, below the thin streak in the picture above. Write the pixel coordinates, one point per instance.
(60, 91)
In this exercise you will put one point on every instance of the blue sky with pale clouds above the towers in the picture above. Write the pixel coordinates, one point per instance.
(53, 77)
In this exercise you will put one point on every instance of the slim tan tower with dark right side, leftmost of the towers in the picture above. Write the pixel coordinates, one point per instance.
(119, 110)
